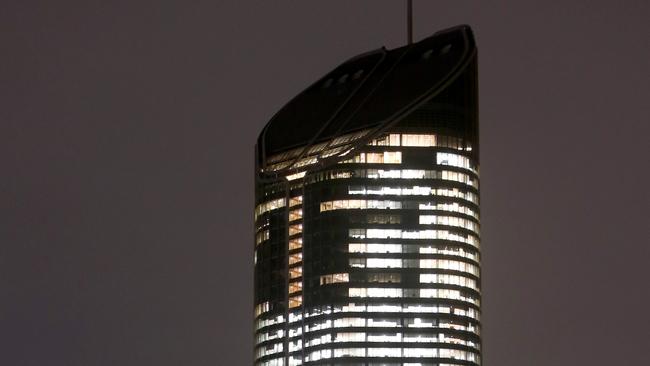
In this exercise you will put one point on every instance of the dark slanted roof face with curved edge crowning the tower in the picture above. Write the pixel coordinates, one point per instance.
(372, 91)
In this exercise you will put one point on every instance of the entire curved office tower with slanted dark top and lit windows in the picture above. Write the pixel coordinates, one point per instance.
(367, 213)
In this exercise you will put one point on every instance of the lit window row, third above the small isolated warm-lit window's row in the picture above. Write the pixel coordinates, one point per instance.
(414, 234)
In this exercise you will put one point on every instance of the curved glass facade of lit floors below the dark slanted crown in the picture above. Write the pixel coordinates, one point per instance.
(372, 260)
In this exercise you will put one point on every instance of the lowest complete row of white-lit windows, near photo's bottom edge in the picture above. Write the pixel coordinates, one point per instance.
(393, 352)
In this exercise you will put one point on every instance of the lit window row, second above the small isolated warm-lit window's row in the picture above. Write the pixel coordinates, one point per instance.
(412, 248)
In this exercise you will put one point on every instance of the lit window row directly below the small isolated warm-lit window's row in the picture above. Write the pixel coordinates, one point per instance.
(387, 292)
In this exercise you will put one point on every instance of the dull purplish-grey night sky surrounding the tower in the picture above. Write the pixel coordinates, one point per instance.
(126, 171)
